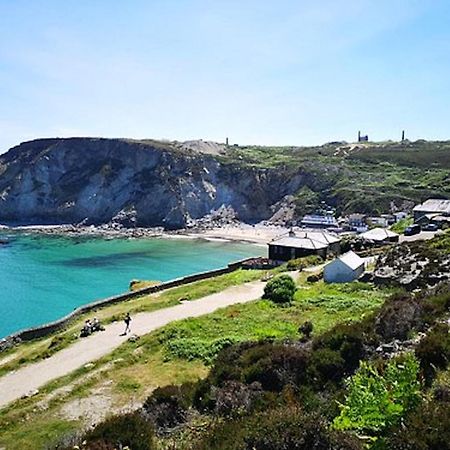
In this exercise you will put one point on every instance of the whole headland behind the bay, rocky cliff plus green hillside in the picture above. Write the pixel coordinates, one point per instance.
(170, 184)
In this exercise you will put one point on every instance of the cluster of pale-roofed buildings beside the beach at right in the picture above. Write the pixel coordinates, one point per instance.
(322, 234)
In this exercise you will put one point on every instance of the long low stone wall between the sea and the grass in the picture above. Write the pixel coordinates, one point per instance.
(49, 328)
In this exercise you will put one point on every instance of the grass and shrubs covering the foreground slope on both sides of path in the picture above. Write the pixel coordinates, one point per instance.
(339, 366)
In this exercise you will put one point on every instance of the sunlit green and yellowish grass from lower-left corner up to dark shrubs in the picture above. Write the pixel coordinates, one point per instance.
(182, 351)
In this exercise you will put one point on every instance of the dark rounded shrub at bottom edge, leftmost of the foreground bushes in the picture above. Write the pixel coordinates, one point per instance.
(130, 430)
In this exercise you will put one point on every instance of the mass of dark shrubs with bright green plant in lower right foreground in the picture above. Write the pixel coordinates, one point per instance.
(336, 391)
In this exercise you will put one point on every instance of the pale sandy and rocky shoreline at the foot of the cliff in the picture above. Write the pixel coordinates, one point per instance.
(251, 234)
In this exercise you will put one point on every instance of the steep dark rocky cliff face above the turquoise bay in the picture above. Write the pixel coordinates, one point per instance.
(158, 184)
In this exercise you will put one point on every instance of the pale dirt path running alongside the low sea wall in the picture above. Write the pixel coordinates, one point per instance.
(29, 378)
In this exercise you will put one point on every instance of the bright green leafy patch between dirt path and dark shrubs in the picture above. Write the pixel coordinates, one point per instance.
(325, 305)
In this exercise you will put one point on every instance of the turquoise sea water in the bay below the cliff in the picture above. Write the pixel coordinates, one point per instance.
(43, 278)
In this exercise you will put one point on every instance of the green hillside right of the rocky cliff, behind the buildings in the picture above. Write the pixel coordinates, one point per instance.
(358, 177)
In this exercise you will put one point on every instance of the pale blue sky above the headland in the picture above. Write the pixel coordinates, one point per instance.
(266, 72)
